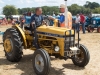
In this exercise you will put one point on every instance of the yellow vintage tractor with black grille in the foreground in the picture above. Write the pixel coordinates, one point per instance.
(53, 41)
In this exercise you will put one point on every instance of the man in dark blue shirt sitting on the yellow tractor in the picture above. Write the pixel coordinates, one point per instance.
(36, 21)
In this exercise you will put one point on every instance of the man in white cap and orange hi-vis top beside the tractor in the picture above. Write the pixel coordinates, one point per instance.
(62, 17)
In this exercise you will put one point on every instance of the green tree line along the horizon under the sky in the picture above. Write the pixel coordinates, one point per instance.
(87, 8)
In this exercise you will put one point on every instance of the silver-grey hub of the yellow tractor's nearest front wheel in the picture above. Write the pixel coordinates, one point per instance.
(39, 63)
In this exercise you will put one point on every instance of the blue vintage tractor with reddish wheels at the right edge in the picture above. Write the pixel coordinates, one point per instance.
(95, 24)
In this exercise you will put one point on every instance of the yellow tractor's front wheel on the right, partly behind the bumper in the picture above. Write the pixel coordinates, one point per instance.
(83, 58)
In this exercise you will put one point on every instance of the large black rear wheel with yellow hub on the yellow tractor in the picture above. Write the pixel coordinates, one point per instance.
(12, 45)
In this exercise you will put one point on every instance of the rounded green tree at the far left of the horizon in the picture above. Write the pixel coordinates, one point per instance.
(9, 10)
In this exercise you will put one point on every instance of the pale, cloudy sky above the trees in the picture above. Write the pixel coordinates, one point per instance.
(38, 3)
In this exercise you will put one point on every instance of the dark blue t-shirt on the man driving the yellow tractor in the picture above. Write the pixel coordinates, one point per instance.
(38, 19)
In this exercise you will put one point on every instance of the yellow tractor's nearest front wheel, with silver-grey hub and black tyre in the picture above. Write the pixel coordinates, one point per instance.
(41, 62)
